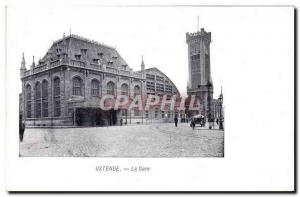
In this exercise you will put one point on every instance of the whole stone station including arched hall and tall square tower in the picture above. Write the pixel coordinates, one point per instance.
(65, 87)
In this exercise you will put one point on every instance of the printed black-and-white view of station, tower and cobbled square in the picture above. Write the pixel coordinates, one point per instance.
(83, 99)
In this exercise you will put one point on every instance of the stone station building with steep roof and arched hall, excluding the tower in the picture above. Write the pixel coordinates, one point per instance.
(66, 85)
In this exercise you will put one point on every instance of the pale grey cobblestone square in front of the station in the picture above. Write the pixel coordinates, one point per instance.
(155, 140)
